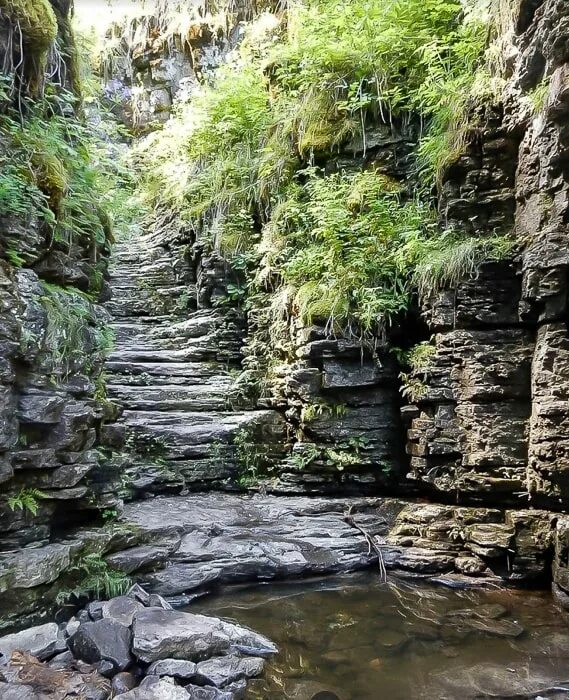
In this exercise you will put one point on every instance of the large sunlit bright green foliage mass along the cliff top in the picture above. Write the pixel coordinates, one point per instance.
(224, 160)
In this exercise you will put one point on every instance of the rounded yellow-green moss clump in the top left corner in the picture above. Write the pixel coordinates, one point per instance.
(37, 22)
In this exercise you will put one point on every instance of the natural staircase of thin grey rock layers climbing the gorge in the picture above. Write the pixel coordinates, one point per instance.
(171, 374)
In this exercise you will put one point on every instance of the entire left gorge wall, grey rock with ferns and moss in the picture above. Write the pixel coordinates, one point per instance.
(54, 246)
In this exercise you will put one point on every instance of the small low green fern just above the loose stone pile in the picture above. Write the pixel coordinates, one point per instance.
(95, 578)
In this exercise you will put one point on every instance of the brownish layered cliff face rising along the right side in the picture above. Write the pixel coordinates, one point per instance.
(491, 423)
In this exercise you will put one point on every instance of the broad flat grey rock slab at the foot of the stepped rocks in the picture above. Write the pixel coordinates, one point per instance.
(228, 538)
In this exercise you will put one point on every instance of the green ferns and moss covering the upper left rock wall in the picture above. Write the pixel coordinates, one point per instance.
(47, 170)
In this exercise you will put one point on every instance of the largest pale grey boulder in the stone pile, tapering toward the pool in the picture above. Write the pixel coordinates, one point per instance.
(164, 634)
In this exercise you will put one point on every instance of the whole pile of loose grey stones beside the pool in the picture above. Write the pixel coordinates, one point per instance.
(136, 647)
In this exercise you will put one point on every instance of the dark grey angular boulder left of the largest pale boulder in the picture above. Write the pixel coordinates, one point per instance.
(106, 641)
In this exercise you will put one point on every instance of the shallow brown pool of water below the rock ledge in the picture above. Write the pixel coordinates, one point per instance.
(363, 640)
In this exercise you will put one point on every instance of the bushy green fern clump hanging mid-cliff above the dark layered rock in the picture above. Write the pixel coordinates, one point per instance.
(345, 249)
